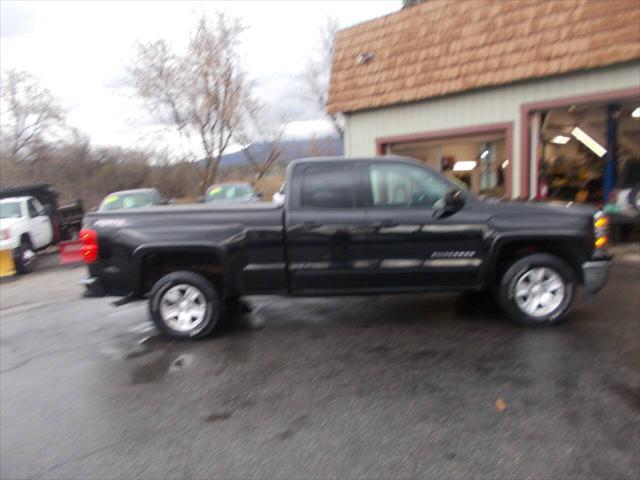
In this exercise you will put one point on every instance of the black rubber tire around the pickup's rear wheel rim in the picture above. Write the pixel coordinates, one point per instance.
(211, 304)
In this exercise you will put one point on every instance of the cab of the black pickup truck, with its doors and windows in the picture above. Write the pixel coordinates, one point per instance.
(372, 225)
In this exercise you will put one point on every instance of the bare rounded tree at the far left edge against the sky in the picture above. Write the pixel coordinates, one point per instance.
(30, 115)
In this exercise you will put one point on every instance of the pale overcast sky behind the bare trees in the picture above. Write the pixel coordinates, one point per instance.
(79, 50)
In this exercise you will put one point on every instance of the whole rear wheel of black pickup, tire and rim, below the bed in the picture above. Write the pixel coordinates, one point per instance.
(184, 305)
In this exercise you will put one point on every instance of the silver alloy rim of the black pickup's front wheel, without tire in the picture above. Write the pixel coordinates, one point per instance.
(539, 291)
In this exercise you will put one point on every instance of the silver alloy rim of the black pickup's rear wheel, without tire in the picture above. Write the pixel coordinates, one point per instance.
(183, 307)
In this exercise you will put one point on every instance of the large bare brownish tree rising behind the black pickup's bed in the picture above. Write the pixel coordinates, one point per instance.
(203, 92)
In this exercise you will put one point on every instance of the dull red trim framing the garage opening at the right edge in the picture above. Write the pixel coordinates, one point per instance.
(528, 108)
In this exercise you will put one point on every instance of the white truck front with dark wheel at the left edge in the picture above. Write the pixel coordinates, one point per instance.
(25, 227)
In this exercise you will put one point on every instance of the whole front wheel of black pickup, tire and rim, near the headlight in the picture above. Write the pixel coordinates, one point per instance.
(537, 290)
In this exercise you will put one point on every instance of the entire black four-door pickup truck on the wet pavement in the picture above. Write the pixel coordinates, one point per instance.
(348, 226)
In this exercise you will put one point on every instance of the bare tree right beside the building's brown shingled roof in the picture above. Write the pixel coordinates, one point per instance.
(317, 73)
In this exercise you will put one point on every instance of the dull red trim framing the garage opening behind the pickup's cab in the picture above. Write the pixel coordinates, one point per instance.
(505, 128)
